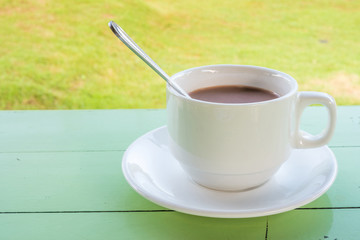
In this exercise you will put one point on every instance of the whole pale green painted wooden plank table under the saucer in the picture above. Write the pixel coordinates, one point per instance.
(61, 178)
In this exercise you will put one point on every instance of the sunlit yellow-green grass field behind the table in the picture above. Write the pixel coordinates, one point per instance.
(62, 55)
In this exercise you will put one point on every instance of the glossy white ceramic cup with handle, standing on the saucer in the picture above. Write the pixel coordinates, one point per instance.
(235, 147)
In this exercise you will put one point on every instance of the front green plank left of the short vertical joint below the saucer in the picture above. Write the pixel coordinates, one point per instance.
(169, 225)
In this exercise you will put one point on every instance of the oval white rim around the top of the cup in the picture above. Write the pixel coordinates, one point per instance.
(281, 98)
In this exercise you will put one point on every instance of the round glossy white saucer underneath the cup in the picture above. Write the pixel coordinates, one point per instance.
(154, 173)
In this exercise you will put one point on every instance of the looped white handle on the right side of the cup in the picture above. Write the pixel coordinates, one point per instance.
(303, 139)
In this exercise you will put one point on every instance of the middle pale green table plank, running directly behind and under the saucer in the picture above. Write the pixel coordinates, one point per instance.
(93, 181)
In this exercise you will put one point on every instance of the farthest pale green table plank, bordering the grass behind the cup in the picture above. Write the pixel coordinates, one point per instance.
(109, 130)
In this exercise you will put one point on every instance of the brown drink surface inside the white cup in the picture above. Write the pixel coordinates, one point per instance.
(233, 94)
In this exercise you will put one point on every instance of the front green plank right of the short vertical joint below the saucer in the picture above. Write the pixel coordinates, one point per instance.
(315, 224)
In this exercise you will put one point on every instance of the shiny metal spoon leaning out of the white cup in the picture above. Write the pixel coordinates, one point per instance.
(121, 34)
